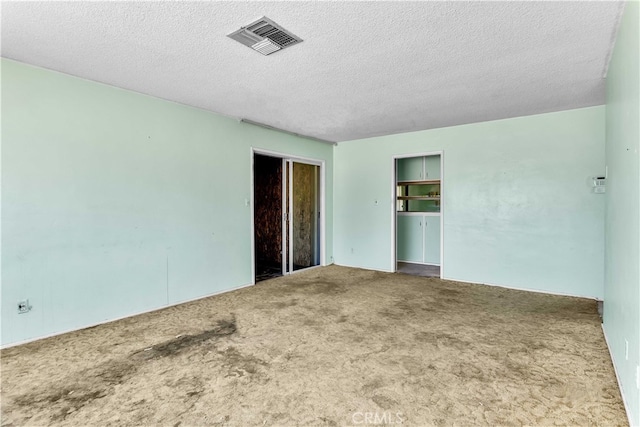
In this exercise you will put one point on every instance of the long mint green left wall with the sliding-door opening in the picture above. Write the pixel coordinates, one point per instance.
(115, 203)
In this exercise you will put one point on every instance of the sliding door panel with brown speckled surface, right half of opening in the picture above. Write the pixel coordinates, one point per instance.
(304, 216)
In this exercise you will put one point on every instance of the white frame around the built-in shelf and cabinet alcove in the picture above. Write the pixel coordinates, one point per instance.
(394, 208)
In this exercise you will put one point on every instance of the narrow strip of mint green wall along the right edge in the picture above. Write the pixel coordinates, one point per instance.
(622, 254)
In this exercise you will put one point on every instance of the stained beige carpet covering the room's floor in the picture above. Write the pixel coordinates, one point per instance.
(331, 346)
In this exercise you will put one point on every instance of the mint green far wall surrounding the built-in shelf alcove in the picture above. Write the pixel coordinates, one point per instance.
(517, 202)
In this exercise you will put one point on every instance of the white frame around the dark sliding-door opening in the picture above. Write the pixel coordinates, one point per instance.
(299, 159)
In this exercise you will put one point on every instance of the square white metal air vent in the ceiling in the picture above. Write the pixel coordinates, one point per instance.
(265, 36)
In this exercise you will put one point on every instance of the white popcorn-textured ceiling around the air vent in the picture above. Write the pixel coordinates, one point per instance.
(364, 68)
